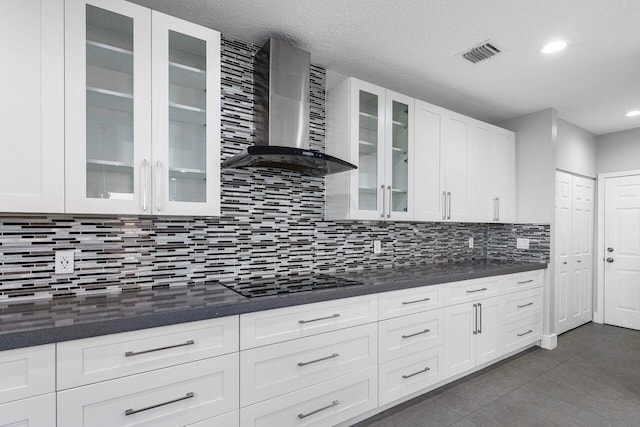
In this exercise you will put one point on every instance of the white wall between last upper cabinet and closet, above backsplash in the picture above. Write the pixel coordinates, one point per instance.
(535, 165)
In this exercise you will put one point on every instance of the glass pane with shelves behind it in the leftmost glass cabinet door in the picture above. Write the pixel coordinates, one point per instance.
(109, 104)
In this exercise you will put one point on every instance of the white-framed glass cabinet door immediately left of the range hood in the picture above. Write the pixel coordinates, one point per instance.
(186, 117)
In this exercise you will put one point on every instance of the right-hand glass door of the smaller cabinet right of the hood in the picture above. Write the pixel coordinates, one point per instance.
(399, 155)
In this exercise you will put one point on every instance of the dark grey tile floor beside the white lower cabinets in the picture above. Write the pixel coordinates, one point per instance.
(591, 379)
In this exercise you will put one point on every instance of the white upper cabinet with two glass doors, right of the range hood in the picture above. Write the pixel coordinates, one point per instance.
(372, 128)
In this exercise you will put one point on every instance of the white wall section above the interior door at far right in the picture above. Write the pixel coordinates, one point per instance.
(619, 151)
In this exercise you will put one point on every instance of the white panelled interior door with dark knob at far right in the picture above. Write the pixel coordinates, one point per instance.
(622, 252)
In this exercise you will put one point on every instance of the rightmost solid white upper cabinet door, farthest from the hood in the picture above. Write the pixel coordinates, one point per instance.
(503, 175)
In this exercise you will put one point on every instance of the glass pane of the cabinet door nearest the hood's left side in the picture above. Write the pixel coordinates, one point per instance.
(187, 118)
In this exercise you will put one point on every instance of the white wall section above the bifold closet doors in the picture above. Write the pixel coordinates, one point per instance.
(576, 150)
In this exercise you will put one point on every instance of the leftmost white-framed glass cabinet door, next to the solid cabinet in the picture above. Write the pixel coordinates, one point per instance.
(107, 121)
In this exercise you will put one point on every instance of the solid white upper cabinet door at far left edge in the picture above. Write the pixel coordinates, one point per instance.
(32, 107)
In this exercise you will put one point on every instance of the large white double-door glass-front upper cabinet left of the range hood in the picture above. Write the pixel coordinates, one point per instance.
(125, 155)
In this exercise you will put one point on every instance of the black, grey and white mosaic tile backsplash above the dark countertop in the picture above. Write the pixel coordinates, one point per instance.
(272, 223)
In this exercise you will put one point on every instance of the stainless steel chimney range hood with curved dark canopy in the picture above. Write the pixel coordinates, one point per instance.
(281, 103)
